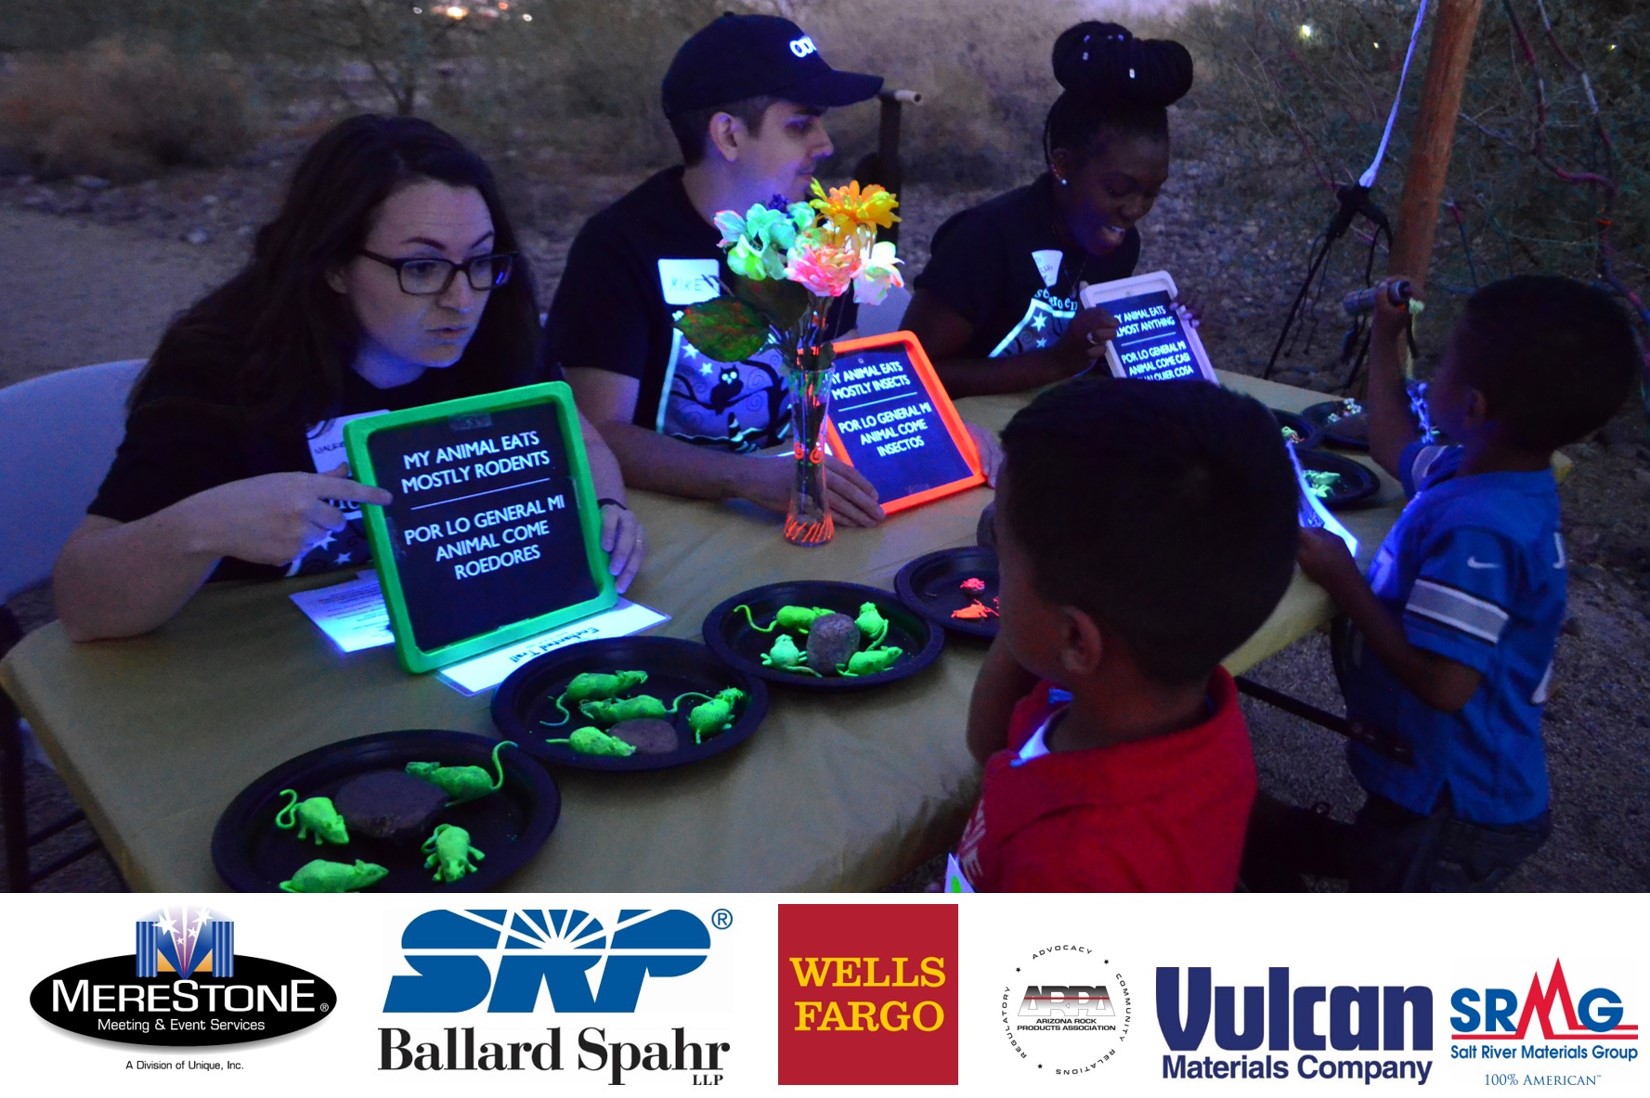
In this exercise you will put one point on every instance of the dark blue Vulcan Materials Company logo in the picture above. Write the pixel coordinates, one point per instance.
(1337, 1033)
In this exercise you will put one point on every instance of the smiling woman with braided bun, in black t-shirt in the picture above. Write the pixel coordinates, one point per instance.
(997, 305)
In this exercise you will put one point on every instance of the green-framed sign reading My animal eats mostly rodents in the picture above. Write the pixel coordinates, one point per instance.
(494, 532)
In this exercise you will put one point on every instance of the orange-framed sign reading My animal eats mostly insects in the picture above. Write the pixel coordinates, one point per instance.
(893, 422)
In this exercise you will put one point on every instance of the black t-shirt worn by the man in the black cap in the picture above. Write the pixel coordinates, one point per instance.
(631, 272)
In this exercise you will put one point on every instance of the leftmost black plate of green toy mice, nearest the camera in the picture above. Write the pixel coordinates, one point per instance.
(509, 826)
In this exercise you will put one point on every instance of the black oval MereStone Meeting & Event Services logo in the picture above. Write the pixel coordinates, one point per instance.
(184, 985)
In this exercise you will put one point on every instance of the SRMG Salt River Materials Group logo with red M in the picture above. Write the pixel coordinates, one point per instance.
(1549, 1023)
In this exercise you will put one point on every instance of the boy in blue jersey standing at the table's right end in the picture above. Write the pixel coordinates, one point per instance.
(1450, 641)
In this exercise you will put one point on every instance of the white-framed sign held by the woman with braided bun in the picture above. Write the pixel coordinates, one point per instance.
(1154, 341)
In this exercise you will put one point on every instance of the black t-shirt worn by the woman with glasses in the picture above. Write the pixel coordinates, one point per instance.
(177, 443)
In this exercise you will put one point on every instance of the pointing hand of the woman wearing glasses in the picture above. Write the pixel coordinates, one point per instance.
(278, 518)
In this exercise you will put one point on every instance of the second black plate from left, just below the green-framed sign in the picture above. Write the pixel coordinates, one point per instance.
(674, 668)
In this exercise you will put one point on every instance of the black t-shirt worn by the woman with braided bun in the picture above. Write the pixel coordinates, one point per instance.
(1004, 270)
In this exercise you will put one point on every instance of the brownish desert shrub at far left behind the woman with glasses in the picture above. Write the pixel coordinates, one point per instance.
(125, 111)
